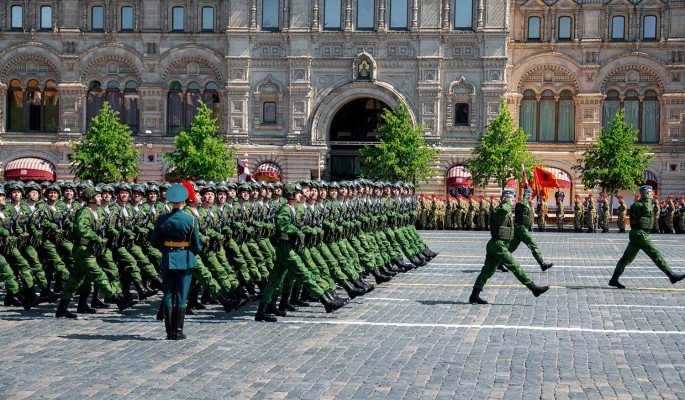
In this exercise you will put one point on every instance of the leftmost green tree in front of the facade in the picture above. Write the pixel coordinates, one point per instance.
(105, 153)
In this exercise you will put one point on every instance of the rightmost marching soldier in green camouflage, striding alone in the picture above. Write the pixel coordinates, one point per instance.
(641, 222)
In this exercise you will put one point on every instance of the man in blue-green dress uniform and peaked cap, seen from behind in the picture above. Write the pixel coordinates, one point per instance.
(176, 235)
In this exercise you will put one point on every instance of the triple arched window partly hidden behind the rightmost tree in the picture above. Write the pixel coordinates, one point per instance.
(642, 114)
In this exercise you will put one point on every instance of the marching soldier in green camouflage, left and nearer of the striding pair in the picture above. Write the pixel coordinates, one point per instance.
(502, 232)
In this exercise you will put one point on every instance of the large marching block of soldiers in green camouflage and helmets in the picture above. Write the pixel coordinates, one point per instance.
(62, 239)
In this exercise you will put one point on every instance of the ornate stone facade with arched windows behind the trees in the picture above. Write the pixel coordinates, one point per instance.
(277, 73)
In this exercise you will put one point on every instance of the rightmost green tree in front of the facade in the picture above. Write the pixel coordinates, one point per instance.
(614, 162)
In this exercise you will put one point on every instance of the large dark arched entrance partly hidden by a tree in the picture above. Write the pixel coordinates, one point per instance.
(354, 125)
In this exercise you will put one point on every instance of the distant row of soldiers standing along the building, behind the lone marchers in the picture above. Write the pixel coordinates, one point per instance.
(589, 214)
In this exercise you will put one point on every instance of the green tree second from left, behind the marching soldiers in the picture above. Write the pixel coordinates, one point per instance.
(201, 153)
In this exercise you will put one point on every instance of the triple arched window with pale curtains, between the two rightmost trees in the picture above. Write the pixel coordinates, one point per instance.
(545, 119)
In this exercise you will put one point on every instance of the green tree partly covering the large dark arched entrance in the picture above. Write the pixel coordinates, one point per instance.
(401, 154)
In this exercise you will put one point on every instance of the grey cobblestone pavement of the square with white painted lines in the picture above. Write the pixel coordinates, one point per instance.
(415, 337)
